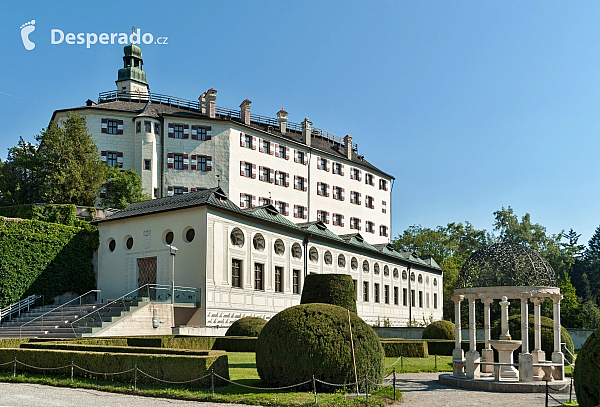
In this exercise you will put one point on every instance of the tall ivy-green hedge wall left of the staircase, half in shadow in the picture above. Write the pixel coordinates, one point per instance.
(44, 258)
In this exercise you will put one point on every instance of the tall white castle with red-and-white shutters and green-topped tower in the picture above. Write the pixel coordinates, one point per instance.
(179, 146)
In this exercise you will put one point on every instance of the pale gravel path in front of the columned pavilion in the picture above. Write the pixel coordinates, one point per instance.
(423, 389)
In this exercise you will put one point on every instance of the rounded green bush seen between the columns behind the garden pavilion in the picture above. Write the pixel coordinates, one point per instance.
(514, 328)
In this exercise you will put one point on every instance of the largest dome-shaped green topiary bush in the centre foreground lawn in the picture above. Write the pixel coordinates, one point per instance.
(314, 339)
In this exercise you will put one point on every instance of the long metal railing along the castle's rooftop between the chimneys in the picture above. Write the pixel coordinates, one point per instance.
(119, 95)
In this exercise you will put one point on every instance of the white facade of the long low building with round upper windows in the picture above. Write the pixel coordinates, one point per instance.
(207, 263)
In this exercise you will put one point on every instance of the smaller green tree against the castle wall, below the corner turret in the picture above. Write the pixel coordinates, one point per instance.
(123, 188)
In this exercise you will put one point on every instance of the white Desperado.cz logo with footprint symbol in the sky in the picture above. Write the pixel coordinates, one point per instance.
(58, 36)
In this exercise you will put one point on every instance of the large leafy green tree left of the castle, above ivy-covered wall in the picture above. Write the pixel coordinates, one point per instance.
(69, 164)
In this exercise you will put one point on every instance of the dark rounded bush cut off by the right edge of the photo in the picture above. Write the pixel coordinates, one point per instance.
(587, 372)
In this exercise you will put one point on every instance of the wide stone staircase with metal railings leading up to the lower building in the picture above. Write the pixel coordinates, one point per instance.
(52, 322)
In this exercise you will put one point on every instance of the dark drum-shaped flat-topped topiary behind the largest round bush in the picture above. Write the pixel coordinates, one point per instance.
(336, 289)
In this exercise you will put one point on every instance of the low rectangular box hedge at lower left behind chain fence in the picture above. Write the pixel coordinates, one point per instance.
(164, 367)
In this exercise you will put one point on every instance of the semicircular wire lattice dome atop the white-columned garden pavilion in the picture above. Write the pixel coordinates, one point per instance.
(506, 264)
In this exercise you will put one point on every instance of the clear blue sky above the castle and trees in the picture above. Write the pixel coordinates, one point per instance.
(472, 106)
